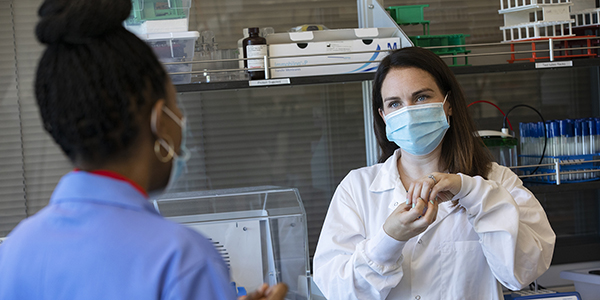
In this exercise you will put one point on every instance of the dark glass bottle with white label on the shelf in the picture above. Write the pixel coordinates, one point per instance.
(255, 46)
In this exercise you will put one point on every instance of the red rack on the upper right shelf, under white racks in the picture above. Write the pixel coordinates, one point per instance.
(565, 46)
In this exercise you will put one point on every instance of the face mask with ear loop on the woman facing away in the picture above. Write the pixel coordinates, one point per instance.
(179, 165)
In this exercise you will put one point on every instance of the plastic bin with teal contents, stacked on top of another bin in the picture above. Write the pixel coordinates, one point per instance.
(156, 16)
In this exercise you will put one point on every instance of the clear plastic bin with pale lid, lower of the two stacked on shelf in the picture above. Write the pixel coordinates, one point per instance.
(174, 47)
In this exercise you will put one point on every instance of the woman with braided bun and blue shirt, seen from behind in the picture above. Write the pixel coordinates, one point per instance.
(109, 104)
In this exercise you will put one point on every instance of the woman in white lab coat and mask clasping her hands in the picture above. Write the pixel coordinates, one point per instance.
(436, 218)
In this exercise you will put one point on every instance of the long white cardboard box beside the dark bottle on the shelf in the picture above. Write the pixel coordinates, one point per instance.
(292, 53)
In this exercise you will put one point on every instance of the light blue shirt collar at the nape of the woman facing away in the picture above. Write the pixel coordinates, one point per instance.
(79, 186)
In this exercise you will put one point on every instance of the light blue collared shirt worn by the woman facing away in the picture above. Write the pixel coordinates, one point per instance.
(100, 238)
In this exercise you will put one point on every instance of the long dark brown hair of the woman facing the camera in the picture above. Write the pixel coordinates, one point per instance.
(462, 149)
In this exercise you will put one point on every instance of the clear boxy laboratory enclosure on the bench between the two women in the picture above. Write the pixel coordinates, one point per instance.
(260, 232)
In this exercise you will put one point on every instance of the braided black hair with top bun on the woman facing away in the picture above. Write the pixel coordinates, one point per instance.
(95, 78)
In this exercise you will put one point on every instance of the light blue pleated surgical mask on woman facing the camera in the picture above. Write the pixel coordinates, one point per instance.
(417, 129)
